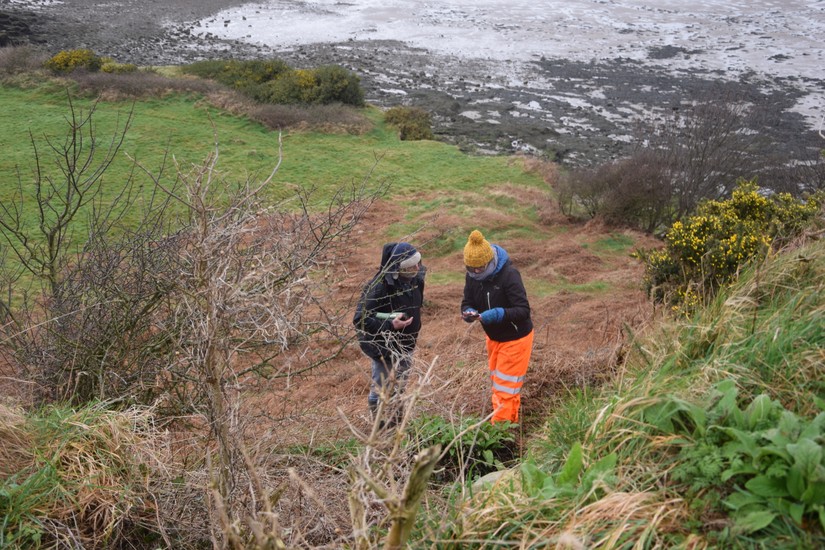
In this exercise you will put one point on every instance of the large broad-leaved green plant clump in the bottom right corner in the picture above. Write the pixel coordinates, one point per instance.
(766, 462)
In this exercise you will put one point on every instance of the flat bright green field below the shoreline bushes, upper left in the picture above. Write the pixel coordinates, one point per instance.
(247, 149)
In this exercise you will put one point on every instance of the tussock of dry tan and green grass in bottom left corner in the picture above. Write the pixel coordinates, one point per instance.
(87, 478)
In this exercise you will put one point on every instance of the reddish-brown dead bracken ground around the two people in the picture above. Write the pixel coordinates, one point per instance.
(580, 325)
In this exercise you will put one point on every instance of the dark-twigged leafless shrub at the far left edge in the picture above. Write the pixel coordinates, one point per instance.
(85, 328)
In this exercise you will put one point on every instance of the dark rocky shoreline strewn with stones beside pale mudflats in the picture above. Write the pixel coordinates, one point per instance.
(483, 113)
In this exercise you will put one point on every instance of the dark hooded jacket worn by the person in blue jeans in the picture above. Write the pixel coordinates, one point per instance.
(384, 294)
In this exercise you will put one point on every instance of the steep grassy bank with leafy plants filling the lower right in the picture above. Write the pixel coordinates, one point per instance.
(660, 422)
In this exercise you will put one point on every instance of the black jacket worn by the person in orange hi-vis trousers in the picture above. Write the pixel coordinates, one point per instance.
(504, 289)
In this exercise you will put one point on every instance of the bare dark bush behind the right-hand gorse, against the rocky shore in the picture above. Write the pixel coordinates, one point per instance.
(701, 152)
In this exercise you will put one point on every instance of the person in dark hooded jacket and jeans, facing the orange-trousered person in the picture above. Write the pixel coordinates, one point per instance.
(388, 318)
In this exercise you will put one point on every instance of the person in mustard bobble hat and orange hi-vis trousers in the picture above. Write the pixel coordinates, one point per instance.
(494, 295)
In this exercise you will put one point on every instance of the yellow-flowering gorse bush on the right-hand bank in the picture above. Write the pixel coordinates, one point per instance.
(708, 249)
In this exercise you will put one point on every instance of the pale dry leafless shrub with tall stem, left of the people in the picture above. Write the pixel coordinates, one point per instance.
(250, 300)
